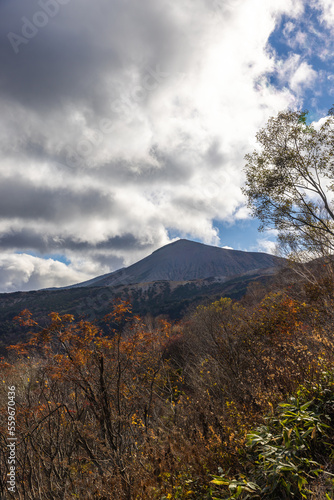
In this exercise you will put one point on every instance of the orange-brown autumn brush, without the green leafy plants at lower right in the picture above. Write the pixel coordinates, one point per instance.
(132, 412)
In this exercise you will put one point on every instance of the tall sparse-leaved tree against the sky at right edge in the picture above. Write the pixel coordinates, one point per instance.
(290, 179)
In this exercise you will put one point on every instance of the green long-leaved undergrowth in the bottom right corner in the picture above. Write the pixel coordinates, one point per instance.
(294, 447)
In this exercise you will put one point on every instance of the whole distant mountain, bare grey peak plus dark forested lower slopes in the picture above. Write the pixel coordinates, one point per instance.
(171, 280)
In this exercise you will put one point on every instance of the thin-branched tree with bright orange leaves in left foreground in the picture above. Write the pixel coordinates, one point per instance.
(86, 405)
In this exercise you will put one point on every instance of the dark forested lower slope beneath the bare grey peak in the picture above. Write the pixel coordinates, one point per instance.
(170, 298)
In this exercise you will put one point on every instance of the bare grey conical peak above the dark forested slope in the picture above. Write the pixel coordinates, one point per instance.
(186, 260)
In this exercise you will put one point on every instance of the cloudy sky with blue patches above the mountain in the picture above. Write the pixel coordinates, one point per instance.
(124, 124)
